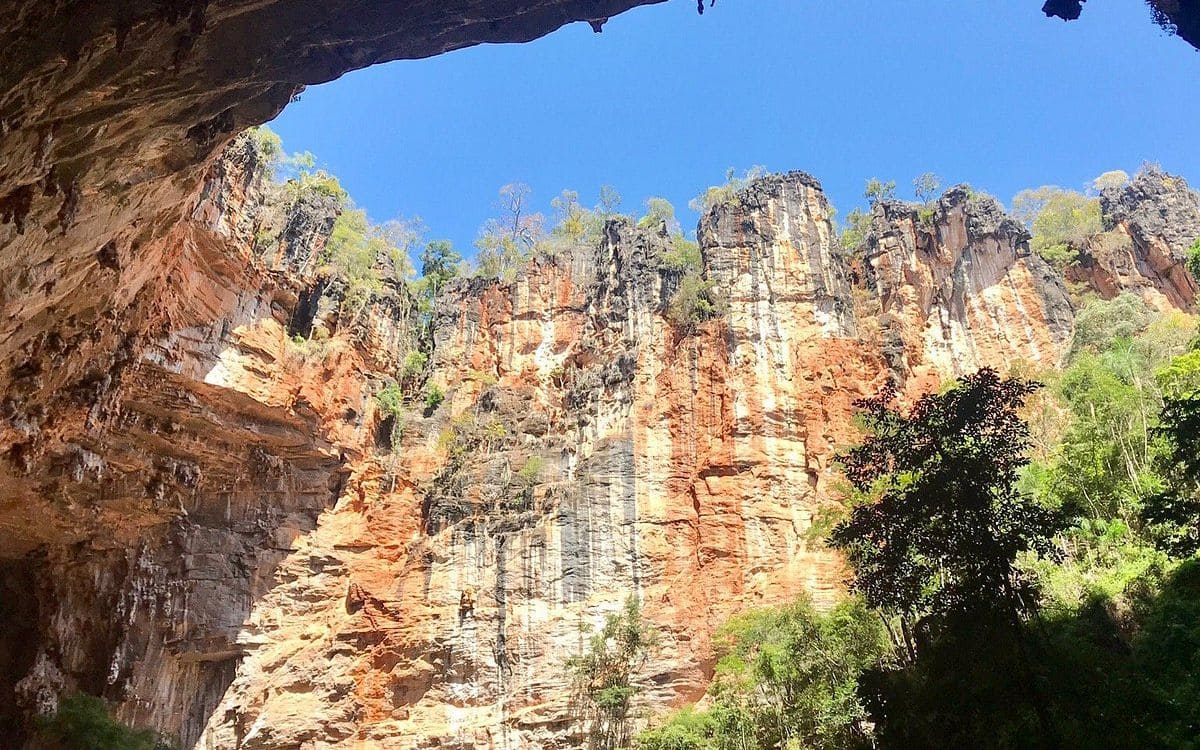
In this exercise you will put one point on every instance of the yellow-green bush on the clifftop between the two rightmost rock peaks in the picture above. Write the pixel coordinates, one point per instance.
(1061, 221)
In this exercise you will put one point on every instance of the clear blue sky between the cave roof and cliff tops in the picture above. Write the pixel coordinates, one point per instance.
(664, 101)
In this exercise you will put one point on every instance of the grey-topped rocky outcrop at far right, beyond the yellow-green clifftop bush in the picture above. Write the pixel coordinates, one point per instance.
(1153, 224)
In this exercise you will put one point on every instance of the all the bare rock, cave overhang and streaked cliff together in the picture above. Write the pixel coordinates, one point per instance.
(202, 521)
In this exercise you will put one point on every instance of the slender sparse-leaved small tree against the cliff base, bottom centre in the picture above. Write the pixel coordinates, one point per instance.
(605, 676)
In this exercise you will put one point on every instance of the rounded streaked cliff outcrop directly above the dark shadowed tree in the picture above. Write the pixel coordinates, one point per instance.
(958, 289)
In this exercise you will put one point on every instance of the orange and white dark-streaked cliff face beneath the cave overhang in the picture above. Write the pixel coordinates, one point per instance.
(293, 568)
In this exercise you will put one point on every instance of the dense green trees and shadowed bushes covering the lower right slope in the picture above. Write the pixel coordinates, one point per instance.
(1023, 561)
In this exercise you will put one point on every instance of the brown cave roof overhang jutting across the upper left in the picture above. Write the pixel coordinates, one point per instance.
(111, 117)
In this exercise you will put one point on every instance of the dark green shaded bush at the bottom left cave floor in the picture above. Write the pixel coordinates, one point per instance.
(83, 723)
